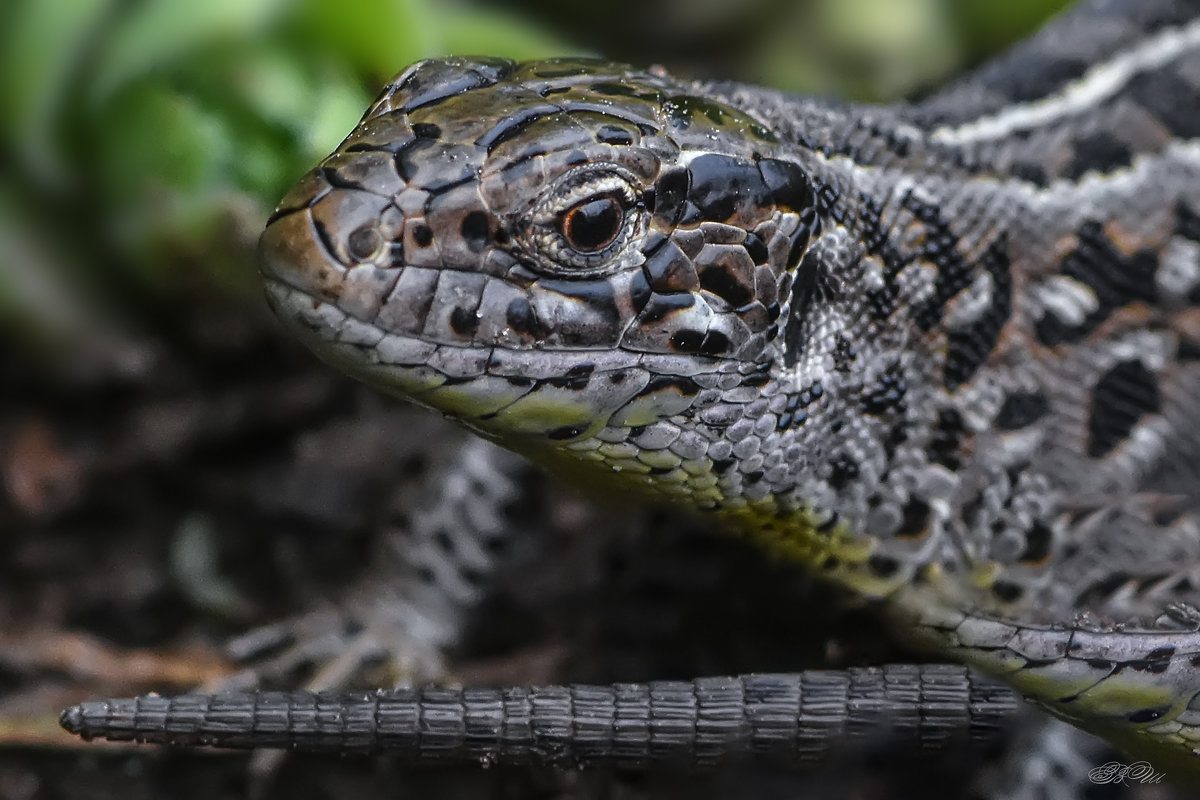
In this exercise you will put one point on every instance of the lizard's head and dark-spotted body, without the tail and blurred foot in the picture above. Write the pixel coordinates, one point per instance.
(943, 354)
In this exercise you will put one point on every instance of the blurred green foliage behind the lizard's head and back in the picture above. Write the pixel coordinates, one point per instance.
(145, 142)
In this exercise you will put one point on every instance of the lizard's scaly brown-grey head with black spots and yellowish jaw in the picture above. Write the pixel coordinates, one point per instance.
(566, 256)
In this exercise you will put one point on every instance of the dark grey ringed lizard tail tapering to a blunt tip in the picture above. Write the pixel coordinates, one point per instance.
(793, 719)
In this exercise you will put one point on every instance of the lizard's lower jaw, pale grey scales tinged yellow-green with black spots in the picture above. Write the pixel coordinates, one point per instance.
(523, 393)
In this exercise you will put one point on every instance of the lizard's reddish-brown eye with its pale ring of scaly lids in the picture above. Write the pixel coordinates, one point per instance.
(586, 221)
